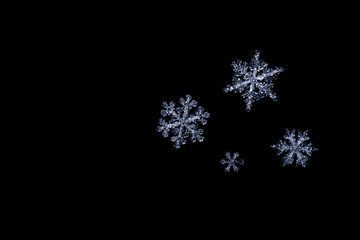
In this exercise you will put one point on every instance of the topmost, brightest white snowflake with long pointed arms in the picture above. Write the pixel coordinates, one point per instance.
(253, 80)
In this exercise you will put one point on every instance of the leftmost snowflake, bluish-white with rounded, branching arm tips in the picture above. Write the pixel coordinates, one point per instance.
(181, 123)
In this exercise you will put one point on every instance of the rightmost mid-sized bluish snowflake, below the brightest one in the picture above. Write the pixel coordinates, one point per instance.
(296, 147)
